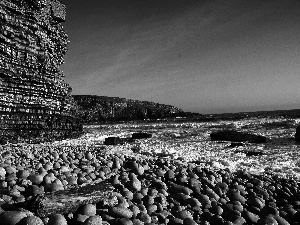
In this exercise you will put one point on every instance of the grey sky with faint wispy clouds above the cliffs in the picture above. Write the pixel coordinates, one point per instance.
(204, 56)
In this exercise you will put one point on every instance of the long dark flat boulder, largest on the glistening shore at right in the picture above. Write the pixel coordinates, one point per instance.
(237, 136)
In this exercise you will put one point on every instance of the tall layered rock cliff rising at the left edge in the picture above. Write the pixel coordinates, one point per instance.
(35, 102)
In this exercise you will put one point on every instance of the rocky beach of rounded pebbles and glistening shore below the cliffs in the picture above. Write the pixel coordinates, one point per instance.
(175, 176)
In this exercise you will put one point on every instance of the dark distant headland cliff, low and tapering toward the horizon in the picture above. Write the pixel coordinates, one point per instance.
(93, 108)
